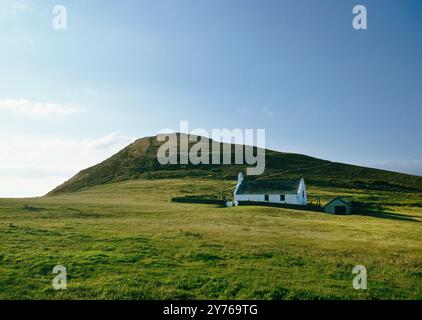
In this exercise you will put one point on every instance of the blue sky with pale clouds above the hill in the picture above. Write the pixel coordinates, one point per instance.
(127, 69)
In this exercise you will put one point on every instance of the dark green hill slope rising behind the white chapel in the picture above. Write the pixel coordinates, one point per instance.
(138, 161)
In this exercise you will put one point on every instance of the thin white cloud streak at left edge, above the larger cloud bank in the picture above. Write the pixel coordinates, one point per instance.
(38, 109)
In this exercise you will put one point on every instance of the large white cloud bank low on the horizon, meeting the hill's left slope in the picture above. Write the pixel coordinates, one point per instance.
(32, 166)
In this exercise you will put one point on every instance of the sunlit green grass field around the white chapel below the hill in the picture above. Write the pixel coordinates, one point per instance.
(127, 240)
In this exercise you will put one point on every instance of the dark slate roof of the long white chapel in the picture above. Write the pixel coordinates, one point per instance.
(267, 187)
